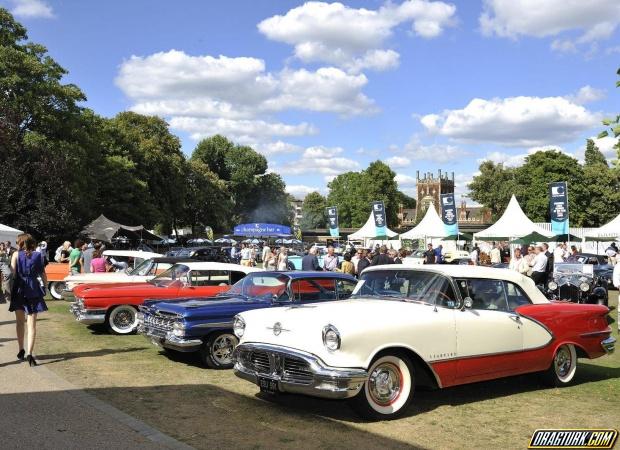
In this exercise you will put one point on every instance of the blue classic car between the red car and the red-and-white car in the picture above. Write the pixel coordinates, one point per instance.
(204, 325)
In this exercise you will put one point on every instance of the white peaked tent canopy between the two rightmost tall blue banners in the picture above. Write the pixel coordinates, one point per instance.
(513, 224)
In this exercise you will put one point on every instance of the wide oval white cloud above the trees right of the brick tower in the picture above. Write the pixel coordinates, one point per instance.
(515, 121)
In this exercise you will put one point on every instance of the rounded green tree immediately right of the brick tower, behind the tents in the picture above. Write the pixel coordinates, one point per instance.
(493, 187)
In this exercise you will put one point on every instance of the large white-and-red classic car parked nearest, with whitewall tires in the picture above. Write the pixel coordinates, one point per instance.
(404, 327)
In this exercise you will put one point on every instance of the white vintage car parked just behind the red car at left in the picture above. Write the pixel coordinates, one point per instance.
(140, 267)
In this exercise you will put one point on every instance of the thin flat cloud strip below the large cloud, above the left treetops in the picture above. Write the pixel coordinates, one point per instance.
(243, 131)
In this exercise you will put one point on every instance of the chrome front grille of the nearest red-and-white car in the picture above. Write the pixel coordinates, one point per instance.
(289, 368)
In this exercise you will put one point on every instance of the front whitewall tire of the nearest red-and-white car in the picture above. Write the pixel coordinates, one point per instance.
(388, 390)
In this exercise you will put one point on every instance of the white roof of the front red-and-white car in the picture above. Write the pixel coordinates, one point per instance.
(463, 271)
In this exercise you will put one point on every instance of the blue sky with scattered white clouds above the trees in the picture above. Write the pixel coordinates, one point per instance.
(324, 88)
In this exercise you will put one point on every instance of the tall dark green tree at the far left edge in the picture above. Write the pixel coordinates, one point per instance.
(46, 140)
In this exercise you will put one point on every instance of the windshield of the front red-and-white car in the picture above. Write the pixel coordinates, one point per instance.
(407, 285)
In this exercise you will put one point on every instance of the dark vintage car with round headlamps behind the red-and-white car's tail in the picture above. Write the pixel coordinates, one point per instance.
(578, 284)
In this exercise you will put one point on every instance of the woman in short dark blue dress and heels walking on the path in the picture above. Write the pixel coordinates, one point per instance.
(28, 292)
